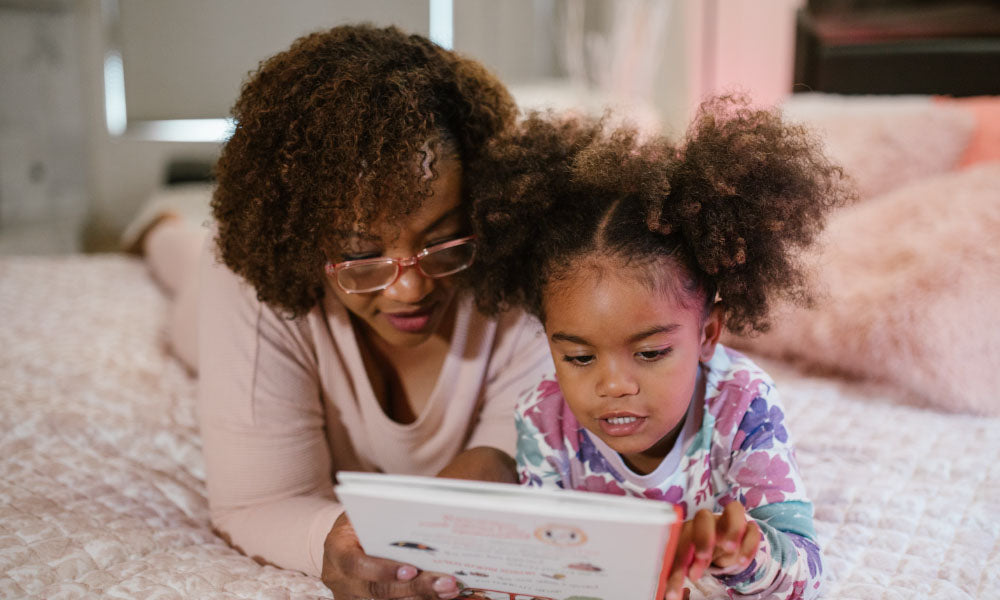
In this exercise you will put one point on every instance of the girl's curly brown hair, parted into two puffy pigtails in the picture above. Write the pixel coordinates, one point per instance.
(730, 205)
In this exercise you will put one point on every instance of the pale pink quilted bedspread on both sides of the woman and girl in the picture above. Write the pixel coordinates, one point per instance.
(102, 488)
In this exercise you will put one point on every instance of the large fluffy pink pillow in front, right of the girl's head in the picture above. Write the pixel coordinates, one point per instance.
(909, 294)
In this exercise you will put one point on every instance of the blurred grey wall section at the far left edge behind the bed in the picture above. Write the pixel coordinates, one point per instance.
(42, 131)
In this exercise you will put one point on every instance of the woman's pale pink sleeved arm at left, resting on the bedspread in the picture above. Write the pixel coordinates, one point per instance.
(262, 423)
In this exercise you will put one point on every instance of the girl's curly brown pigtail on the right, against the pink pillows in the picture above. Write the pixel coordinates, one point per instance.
(748, 193)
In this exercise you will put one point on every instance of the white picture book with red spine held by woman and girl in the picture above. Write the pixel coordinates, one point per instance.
(506, 542)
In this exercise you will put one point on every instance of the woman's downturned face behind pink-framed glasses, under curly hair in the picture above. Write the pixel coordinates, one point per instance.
(412, 309)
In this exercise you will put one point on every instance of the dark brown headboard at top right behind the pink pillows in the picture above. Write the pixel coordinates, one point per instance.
(943, 47)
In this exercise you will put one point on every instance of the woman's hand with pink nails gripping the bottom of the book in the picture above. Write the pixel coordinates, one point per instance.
(353, 575)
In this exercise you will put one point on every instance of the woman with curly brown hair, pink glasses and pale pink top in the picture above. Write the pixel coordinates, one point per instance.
(332, 329)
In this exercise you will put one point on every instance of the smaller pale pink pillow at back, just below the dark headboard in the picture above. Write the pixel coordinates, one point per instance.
(884, 142)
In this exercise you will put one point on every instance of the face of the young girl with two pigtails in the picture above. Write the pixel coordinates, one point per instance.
(626, 355)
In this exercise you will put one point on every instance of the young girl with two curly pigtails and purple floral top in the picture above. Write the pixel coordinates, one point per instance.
(634, 255)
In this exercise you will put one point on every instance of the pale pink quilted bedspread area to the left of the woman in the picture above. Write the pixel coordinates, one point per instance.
(101, 475)
